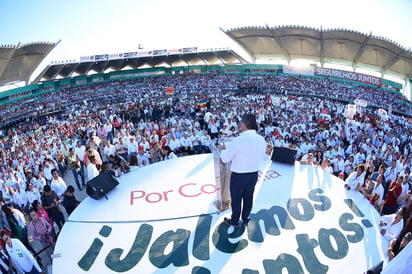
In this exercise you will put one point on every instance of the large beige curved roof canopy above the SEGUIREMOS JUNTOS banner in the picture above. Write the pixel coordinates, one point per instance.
(325, 46)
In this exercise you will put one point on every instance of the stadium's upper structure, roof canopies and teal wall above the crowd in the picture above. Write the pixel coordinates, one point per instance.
(363, 59)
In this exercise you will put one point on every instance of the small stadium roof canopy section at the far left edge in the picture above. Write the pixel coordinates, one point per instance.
(17, 63)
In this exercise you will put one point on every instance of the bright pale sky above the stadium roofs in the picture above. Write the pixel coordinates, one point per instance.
(90, 27)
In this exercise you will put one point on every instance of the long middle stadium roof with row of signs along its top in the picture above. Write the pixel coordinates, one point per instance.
(135, 60)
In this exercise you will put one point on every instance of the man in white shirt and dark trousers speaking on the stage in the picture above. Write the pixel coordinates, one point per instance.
(245, 152)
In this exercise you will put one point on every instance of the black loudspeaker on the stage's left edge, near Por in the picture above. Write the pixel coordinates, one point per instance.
(100, 185)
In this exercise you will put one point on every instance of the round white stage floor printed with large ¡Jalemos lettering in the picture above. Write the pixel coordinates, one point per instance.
(163, 219)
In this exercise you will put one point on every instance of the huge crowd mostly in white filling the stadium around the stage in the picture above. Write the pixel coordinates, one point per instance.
(117, 125)
